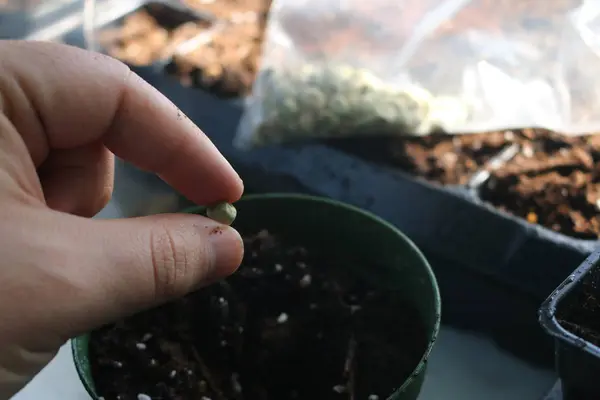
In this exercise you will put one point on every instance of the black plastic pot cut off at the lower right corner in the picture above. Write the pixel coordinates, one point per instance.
(577, 359)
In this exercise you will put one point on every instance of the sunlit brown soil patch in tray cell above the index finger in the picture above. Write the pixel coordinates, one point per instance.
(150, 34)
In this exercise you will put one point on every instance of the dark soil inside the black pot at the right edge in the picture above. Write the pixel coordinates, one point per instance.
(580, 314)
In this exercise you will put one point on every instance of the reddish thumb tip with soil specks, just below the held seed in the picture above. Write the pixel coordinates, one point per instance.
(228, 250)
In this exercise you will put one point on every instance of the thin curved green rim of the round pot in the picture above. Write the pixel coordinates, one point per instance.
(335, 203)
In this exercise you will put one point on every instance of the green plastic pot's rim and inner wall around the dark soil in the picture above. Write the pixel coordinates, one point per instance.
(316, 222)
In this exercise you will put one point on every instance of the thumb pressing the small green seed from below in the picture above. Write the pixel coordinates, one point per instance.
(133, 264)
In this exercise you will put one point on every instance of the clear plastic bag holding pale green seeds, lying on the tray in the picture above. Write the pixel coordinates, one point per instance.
(337, 68)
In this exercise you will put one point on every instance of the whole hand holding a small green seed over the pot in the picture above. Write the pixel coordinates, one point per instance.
(64, 114)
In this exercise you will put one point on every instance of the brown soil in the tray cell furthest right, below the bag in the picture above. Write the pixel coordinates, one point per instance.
(554, 182)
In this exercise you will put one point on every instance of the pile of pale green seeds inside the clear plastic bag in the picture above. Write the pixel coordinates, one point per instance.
(325, 100)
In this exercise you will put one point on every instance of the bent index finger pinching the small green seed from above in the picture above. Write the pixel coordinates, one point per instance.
(78, 97)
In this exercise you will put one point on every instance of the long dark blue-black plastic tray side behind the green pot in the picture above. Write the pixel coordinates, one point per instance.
(494, 269)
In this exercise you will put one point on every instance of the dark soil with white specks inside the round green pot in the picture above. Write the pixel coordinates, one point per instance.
(290, 324)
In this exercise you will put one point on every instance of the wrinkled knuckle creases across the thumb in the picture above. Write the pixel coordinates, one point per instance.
(169, 262)
